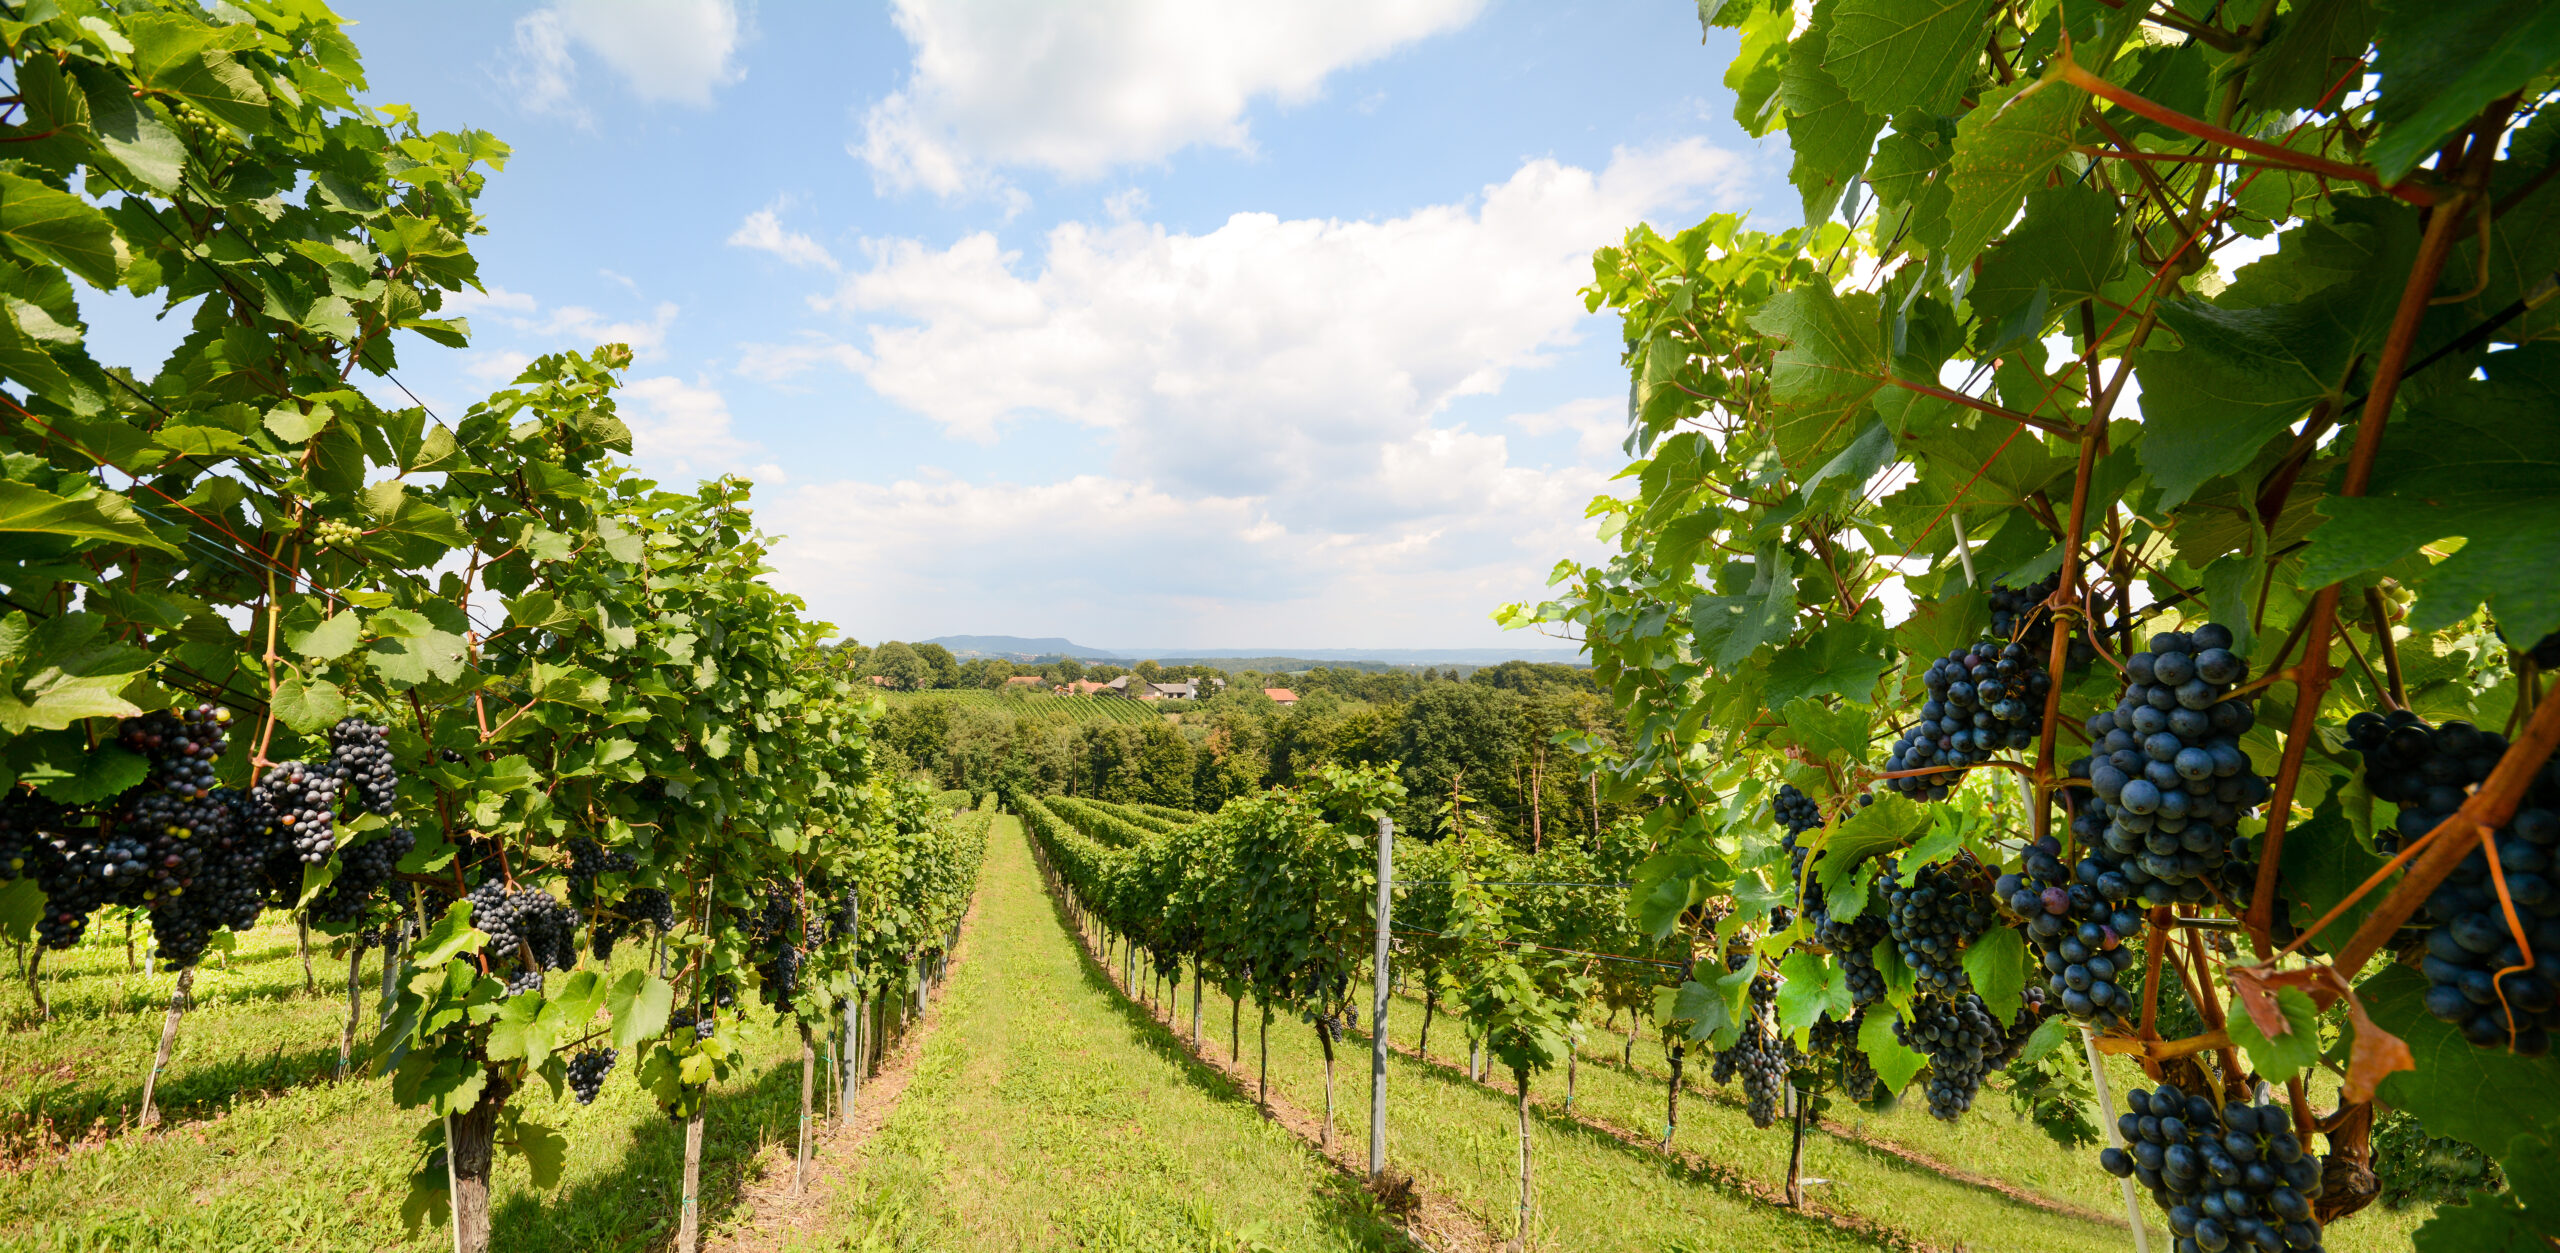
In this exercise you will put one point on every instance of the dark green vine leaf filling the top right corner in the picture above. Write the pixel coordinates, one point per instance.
(2441, 63)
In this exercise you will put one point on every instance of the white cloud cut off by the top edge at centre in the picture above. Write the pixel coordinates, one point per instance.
(1100, 83)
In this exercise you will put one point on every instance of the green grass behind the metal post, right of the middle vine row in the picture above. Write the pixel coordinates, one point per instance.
(1460, 1139)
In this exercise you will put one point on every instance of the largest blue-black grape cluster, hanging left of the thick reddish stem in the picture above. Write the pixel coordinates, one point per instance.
(2170, 775)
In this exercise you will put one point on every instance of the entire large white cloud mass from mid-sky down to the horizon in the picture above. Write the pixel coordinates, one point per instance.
(1279, 401)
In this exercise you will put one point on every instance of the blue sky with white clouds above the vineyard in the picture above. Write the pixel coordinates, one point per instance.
(1146, 324)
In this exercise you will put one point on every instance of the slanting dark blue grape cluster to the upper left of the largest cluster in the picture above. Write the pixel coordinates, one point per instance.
(1980, 703)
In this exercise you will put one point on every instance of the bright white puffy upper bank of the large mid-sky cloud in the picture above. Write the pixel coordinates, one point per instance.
(1266, 357)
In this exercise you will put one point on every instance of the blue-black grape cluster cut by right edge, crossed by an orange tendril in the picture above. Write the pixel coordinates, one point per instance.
(2479, 975)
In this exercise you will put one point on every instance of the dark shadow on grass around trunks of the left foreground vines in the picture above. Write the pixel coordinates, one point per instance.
(634, 1206)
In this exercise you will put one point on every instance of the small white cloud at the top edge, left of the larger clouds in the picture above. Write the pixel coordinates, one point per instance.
(664, 50)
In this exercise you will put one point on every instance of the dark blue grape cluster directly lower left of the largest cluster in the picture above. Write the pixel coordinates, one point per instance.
(2077, 929)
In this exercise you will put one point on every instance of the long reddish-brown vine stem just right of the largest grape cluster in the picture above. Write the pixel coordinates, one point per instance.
(2316, 652)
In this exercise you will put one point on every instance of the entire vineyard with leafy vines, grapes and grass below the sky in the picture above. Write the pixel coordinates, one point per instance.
(2070, 762)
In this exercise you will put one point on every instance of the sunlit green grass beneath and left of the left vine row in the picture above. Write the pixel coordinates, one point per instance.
(262, 1152)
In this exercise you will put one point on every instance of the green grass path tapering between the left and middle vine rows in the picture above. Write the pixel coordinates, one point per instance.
(1048, 1113)
